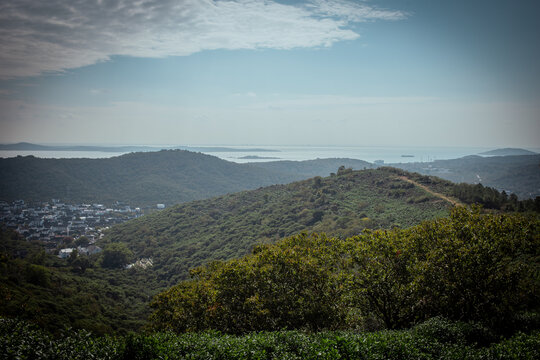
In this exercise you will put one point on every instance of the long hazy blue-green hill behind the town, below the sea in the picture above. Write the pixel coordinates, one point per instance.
(146, 178)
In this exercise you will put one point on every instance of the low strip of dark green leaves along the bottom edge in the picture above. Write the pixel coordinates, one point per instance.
(434, 339)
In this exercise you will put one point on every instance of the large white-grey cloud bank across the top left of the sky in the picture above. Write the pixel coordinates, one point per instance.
(55, 35)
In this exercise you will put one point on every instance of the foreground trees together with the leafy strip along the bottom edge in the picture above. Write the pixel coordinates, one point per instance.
(463, 287)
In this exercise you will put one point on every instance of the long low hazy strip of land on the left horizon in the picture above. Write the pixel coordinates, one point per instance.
(25, 146)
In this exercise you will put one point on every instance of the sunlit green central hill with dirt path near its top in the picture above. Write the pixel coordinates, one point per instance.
(188, 235)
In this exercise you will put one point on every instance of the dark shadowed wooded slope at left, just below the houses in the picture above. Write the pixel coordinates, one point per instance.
(76, 292)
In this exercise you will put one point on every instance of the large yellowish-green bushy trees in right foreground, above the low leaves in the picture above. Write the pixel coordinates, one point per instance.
(471, 266)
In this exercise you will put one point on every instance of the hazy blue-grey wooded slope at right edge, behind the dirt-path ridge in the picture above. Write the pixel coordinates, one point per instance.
(514, 174)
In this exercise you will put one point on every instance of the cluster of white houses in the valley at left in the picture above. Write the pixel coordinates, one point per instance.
(53, 222)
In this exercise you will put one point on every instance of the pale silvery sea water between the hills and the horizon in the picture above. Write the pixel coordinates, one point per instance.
(297, 153)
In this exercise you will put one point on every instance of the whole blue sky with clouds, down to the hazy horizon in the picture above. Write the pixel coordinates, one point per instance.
(401, 72)
